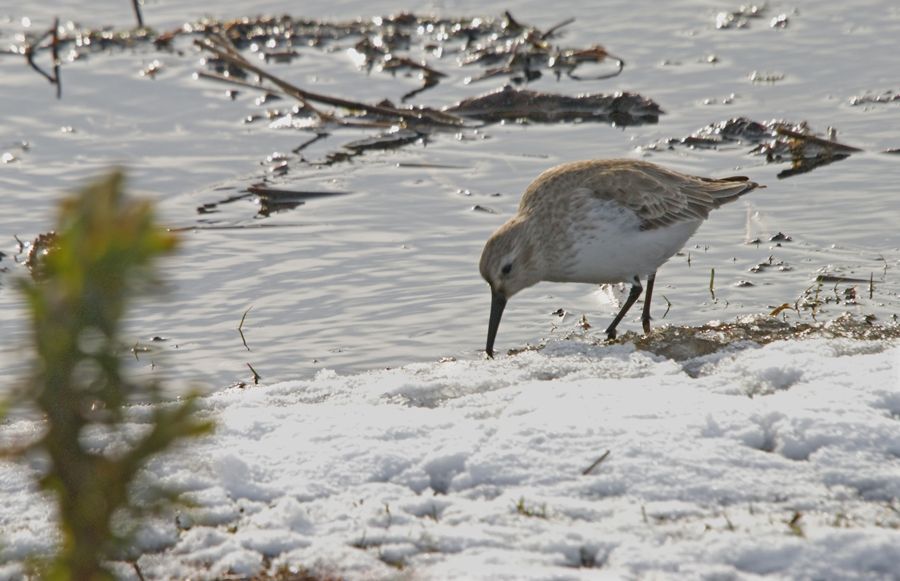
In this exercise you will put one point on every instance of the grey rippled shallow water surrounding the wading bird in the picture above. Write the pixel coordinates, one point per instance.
(388, 274)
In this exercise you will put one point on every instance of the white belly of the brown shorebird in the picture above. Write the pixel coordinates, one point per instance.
(617, 250)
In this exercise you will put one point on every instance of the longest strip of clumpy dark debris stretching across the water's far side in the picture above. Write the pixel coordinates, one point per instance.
(399, 43)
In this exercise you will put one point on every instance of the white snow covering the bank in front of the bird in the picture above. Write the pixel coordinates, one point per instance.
(781, 460)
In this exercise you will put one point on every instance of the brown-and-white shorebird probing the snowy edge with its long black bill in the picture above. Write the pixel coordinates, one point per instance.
(599, 222)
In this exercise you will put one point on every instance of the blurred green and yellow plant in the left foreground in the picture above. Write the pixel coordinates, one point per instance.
(107, 246)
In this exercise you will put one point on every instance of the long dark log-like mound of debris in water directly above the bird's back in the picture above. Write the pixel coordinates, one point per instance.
(510, 103)
